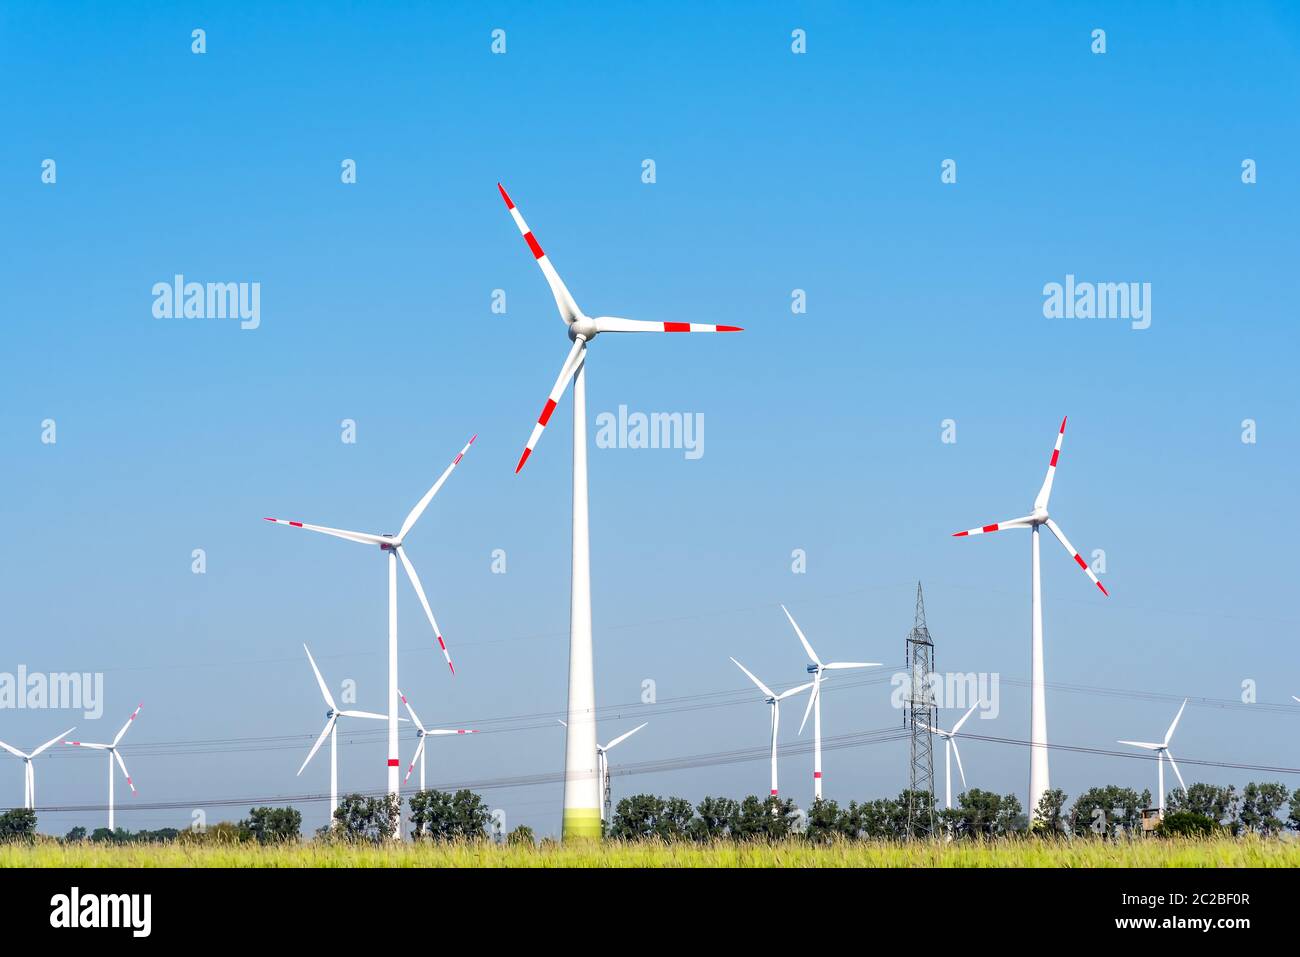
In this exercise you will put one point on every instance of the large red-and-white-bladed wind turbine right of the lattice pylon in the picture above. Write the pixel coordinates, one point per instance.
(1039, 780)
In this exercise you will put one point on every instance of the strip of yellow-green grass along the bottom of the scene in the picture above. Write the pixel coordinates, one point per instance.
(1219, 852)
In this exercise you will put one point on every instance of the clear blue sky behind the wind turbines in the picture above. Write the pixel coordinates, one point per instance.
(774, 172)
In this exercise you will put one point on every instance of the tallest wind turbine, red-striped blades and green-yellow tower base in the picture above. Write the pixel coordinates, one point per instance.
(582, 776)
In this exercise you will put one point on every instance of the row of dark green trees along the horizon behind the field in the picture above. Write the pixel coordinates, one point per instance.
(1266, 809)
